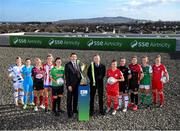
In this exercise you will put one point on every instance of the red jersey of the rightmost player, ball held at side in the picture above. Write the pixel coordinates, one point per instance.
(158, 72)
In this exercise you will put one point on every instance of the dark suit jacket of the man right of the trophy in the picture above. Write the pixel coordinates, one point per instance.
(99, 73)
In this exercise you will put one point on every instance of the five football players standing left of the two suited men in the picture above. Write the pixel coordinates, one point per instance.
(35, 82)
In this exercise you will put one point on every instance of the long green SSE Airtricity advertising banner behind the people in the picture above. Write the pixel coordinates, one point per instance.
(105, 44)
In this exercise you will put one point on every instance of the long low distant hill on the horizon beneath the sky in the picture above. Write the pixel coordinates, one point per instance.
(102, 20)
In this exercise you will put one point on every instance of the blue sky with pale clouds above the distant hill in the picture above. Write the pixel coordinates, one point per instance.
(52, 10)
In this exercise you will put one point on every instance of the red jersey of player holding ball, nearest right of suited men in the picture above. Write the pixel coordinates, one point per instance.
(117, 74)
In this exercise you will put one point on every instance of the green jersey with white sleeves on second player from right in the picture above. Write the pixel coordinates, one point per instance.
(147, 70)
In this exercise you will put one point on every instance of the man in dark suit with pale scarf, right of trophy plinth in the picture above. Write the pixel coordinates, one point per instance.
(96, 73)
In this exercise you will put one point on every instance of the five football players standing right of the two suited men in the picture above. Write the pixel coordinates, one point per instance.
(136, 81)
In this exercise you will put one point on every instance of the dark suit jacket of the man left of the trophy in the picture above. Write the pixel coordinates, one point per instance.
(72, 76)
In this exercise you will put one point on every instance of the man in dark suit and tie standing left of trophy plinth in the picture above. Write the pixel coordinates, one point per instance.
(73, 78)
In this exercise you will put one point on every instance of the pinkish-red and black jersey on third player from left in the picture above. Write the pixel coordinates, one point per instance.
(38, 74)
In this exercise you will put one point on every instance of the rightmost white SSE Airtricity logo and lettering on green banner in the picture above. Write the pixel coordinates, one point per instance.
(145, 44)
